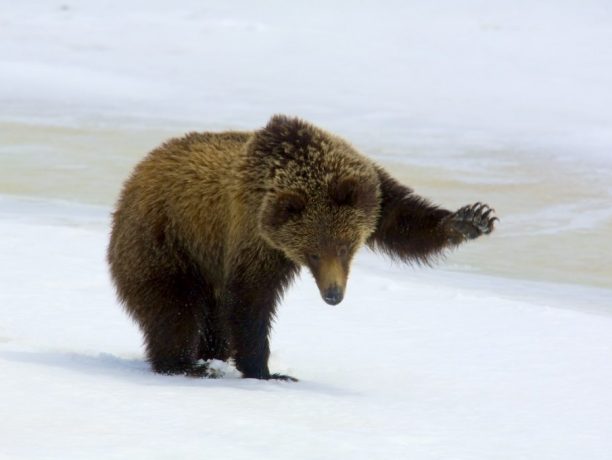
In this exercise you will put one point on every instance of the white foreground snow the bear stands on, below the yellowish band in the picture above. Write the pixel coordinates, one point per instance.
(419, 364)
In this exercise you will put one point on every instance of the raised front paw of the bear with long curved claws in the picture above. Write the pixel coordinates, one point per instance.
(470, 222)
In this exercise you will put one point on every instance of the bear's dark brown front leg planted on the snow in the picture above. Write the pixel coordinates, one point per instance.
(251, 299)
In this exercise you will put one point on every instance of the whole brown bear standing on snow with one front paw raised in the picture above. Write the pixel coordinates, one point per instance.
(212, 227)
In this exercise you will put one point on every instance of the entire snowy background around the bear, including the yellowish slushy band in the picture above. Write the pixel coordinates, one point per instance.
(508, 99)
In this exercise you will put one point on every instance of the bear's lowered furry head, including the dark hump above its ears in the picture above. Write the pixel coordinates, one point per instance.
(321, 199)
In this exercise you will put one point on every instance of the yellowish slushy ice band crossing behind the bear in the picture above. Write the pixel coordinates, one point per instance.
(556, 217)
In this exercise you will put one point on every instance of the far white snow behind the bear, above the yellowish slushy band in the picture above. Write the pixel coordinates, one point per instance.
(534, 76)
